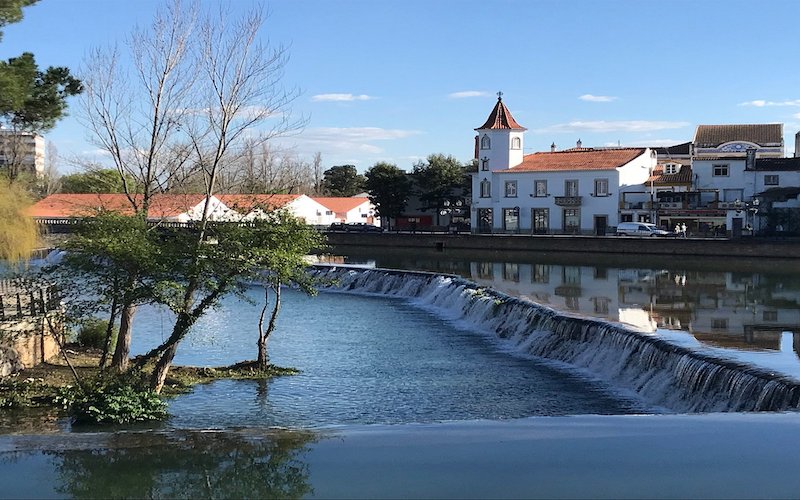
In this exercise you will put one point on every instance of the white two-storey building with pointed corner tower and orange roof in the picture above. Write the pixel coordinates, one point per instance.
(575, 191)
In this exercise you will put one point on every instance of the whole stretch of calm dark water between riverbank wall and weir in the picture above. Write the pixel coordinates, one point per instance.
(733, 304)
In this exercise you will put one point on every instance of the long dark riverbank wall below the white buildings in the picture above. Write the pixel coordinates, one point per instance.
(620, 245)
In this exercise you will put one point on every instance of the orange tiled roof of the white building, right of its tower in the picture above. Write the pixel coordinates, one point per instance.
(584, 159)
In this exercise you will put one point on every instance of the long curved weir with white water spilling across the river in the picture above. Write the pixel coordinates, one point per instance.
(662, 373)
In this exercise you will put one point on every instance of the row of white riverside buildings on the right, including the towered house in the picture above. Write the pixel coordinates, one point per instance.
(722, 182)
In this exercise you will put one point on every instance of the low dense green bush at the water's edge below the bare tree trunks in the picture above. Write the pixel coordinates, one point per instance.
(112, 401)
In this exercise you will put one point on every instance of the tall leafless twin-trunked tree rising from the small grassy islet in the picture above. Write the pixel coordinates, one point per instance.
(203, 92)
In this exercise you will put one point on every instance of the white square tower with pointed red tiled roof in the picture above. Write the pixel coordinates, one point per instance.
(499, 144)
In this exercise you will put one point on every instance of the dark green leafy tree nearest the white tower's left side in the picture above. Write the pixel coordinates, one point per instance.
(439, 178)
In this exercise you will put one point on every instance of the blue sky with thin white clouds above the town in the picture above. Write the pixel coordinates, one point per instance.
(395, 81)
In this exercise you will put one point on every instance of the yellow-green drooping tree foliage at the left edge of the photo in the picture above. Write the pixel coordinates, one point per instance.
(19, 234)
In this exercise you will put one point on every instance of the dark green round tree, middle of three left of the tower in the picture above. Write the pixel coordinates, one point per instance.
(389, 189)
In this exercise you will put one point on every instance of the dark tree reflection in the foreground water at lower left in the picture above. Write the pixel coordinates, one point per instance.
(188, 464)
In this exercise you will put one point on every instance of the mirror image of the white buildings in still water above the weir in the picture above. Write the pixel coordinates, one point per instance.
(724, 309)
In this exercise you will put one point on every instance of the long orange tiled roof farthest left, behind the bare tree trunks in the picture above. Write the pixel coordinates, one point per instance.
(85, 205)
